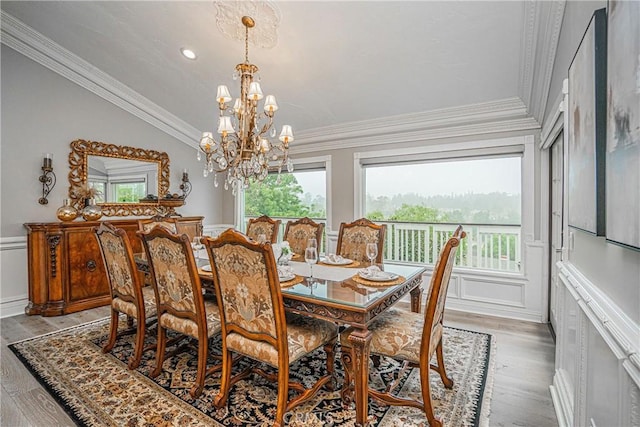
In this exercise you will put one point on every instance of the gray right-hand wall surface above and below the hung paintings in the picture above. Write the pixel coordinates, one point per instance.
(613, 269)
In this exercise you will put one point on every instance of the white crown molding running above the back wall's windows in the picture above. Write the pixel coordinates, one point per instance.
(506, 115)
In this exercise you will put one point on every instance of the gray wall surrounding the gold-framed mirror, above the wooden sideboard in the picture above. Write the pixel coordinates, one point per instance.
(44, 112)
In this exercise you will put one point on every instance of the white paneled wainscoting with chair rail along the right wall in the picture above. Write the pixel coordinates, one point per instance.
(597, 379)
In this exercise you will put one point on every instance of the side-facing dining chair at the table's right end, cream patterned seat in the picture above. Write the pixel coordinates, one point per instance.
(412, 338)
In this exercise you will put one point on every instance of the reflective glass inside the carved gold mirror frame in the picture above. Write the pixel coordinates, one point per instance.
(121, 180)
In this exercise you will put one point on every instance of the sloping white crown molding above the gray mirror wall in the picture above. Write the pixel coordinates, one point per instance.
(35, 46)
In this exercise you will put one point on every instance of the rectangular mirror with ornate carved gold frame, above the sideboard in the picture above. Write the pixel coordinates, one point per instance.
(121, 177)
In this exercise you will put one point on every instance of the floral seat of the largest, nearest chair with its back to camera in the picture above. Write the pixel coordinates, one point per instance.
(304, 335)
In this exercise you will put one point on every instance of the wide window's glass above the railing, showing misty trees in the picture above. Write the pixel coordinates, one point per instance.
(477, 191)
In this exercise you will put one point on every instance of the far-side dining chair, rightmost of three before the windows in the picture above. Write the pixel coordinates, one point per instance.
(354, 236)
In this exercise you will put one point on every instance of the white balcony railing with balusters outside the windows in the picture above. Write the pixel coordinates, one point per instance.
(486, 247)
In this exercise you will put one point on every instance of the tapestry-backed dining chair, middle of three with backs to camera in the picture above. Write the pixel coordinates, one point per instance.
(180, 303)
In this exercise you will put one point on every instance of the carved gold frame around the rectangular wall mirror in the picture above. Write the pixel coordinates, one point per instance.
(78, 163)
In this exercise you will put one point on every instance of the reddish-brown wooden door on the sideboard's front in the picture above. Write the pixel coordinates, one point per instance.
(87, 275)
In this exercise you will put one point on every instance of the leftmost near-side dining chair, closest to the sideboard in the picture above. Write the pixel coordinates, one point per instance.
(128, 295)
